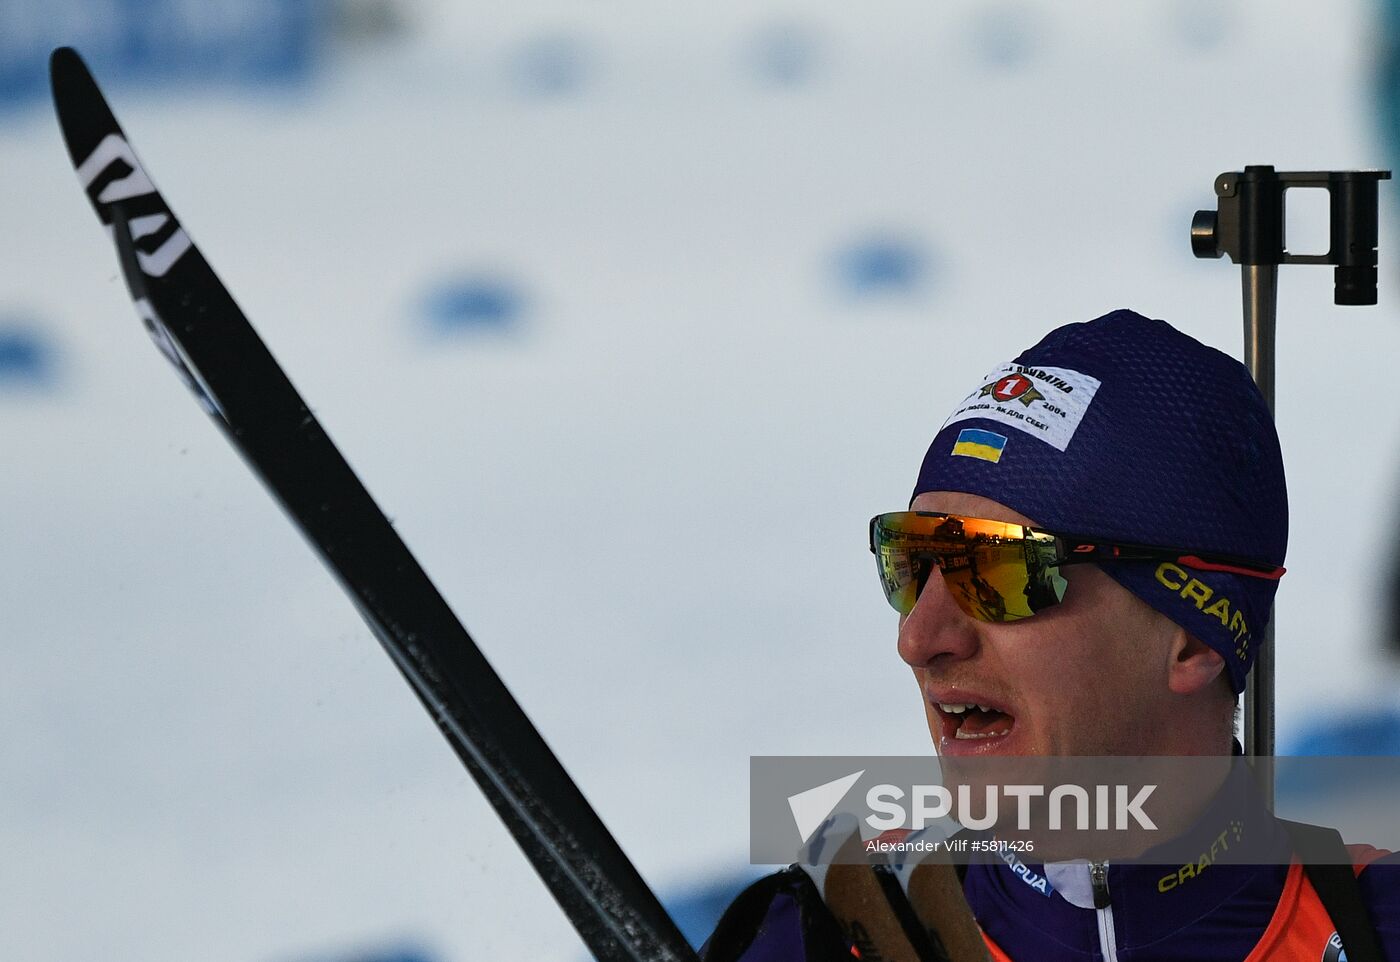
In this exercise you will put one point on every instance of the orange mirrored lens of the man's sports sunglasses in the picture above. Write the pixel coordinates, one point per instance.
(997, 572)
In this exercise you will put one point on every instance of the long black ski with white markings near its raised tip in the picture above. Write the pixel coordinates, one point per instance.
(213, 347)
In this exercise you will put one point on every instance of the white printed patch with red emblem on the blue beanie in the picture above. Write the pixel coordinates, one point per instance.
(1048, 403)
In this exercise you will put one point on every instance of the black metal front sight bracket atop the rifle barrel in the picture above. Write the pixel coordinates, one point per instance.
(1249, 225)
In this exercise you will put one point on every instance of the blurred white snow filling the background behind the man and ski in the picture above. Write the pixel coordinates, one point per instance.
(649, 503)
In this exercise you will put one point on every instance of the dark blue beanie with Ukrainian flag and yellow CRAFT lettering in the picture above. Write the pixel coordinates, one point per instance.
(1126, 429)
